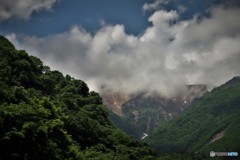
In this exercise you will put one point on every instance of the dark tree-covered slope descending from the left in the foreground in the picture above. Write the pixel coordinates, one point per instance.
(45, 115)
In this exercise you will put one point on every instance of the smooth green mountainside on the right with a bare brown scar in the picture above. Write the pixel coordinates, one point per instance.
(210, 124)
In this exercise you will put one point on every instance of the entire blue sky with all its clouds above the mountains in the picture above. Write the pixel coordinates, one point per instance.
(130, 46)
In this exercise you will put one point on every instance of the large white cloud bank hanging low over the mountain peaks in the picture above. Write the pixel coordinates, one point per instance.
(168, 55)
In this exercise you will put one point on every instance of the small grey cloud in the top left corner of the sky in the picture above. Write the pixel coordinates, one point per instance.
(22, 9)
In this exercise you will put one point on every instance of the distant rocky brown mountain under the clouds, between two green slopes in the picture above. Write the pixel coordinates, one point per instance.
(141, 113)
